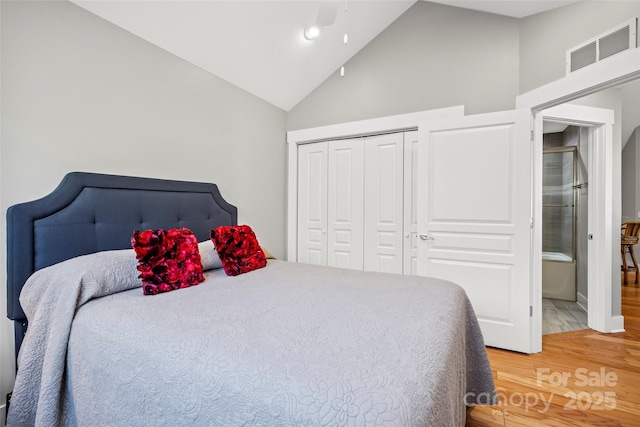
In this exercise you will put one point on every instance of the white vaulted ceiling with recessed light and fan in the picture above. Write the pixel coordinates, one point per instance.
(259, 45)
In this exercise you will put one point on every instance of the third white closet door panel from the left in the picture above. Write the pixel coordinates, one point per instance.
(383, 203)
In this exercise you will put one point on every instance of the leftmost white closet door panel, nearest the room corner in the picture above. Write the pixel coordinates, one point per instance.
(312, 203)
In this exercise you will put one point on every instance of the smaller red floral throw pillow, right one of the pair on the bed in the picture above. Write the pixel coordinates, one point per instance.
(238, 249)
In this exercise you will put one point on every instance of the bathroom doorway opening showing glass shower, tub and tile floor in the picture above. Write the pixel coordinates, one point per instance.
(564, 228)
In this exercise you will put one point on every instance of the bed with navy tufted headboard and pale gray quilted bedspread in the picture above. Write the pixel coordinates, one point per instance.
(287, 344)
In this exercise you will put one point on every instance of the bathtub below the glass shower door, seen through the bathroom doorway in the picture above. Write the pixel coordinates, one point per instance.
(558, 276)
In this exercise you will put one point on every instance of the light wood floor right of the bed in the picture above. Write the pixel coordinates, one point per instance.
(581, 378)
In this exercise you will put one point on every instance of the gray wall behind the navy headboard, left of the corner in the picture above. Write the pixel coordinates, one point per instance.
(79, 93)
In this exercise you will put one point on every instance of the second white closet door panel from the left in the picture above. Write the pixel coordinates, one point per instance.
(345, 204)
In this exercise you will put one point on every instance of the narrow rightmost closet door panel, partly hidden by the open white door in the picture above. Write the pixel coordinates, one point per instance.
(410, 232)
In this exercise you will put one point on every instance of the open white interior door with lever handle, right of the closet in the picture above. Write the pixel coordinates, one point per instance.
(474, 217)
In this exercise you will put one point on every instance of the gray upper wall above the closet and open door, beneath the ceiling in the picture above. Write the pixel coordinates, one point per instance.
(437, 56)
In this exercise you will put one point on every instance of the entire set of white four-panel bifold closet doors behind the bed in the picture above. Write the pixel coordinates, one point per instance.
(353, 203)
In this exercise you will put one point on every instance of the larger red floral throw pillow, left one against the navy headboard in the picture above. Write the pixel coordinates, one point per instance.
(167, 259)
